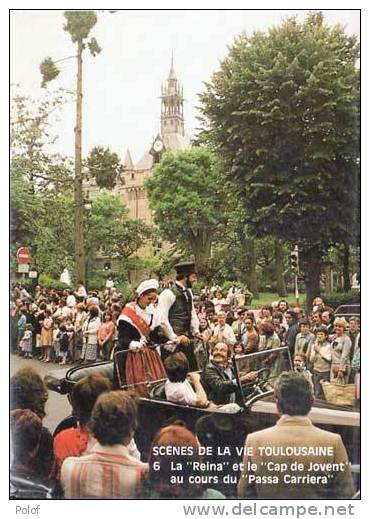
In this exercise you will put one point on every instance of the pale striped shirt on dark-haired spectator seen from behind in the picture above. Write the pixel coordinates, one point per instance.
(105, 472)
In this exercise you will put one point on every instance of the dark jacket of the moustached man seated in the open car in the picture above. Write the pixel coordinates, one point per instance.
(217, 384)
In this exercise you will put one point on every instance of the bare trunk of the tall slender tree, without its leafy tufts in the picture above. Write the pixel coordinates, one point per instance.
(80, 267)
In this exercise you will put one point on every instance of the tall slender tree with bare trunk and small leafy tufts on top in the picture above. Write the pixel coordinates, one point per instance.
(79, 25)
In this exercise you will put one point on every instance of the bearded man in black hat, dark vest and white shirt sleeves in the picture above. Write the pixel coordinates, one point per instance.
(179, 321)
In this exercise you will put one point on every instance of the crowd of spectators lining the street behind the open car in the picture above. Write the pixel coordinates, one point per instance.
(69, 327)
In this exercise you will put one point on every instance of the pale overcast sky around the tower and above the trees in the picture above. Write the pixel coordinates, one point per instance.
(122, 84)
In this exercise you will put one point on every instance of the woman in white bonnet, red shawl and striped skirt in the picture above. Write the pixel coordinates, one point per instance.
(138, 319)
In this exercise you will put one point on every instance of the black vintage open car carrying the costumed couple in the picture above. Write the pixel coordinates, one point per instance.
(257, 408)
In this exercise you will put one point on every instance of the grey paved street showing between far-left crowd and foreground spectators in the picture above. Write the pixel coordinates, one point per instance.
(57, 406)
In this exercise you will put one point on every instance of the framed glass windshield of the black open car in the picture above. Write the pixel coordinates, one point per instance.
(257, 372)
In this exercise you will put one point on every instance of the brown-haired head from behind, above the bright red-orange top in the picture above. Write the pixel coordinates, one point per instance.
(85, 393)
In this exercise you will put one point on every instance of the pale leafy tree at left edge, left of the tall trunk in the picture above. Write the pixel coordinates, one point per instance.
(40, 183)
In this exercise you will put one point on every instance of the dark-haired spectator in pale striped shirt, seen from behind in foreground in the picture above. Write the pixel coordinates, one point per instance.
(108, 471)
